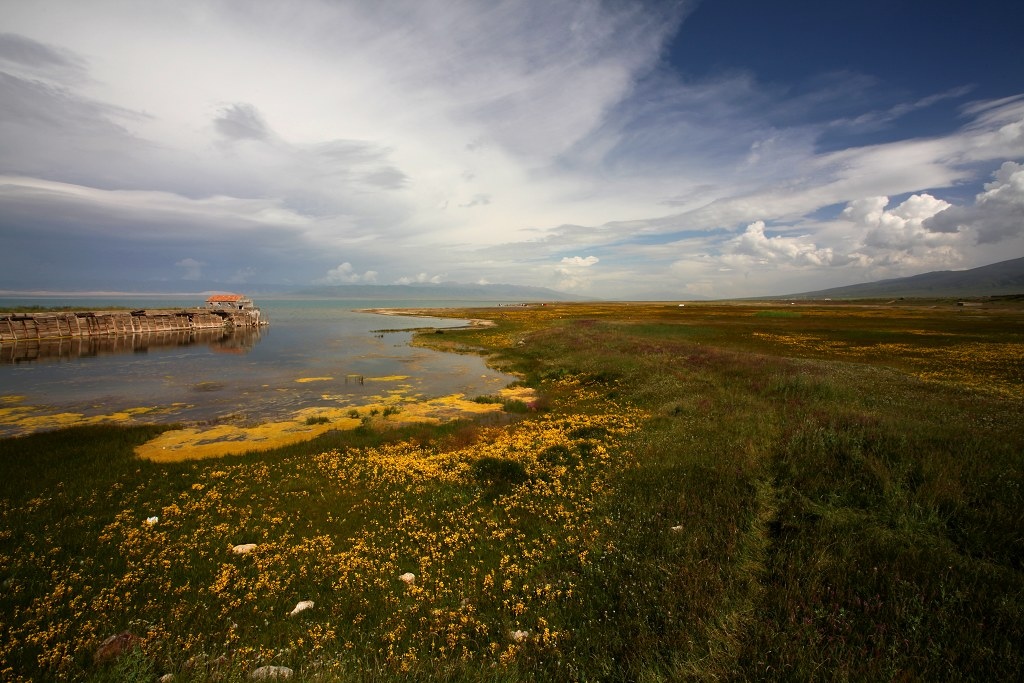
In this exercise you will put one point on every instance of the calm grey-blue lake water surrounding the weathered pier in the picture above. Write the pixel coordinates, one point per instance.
(313, 354)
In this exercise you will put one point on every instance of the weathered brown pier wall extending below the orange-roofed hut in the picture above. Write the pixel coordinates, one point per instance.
(46, 326)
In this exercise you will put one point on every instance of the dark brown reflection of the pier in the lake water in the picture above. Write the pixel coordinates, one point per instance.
(225, 340)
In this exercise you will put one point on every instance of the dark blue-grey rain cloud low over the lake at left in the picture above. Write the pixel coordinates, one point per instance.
(57, 234)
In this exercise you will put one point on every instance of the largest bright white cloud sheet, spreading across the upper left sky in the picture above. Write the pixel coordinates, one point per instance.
(368, 115)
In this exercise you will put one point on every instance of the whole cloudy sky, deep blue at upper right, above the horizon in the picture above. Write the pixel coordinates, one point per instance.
(618, 150)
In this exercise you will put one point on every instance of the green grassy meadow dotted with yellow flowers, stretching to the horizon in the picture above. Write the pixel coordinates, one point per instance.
(702, 493)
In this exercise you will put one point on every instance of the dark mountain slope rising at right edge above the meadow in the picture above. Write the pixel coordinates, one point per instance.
(996, 280)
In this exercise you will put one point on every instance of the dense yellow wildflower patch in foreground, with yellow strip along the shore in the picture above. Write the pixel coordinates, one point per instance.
(340, 530)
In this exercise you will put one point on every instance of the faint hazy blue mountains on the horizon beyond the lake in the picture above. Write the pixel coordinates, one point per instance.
(439, 292)
